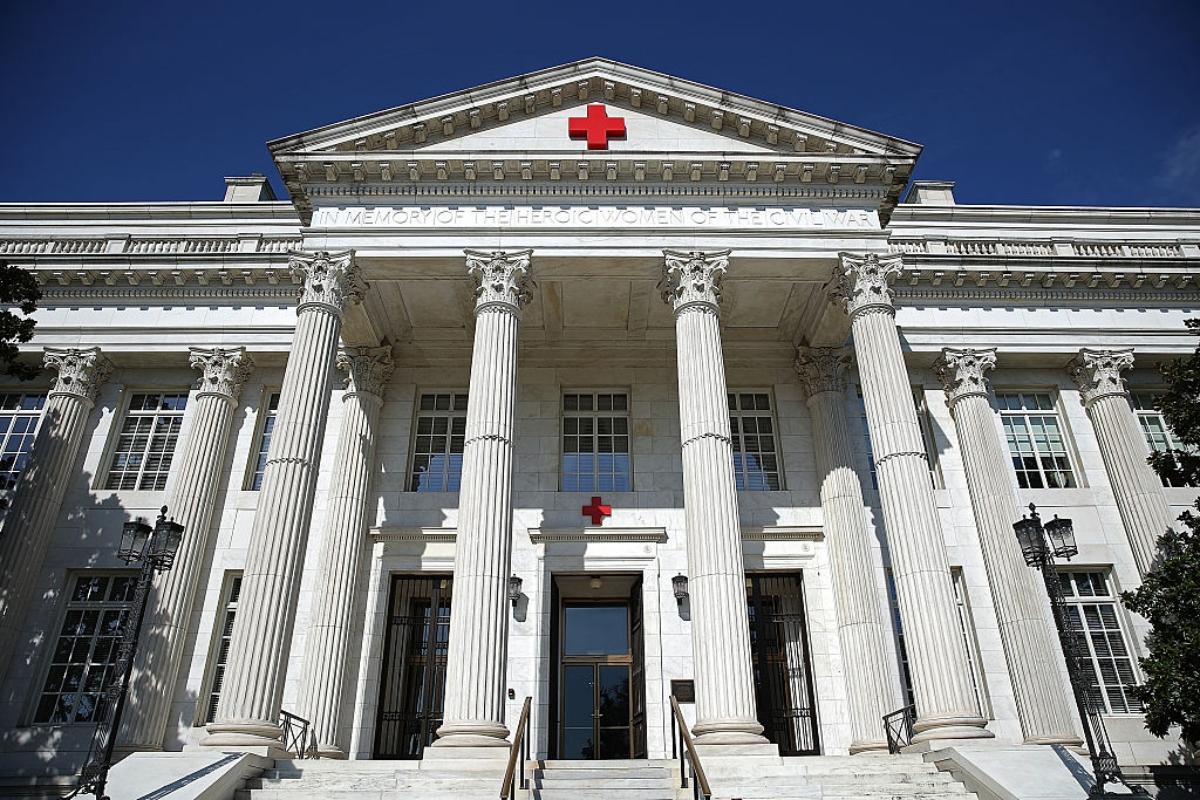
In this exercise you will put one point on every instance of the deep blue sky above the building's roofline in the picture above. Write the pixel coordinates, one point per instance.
(1091, 103)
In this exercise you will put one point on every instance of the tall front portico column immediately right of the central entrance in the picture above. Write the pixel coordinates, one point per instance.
(721, 627)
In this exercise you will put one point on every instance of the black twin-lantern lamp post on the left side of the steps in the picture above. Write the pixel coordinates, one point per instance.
(155, 550)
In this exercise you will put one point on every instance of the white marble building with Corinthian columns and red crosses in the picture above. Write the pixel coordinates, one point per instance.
(713, 281)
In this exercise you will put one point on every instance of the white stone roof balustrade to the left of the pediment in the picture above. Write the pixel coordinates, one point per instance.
(149, 246)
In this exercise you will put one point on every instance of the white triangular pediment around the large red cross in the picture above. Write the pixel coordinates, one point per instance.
(517, 131)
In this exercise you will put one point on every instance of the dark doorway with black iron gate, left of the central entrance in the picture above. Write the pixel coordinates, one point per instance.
(415, 666)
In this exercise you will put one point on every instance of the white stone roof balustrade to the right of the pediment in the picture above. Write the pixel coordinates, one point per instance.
(1145, 250)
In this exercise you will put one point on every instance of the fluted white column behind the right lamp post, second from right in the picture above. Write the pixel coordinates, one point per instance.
(1030, 643)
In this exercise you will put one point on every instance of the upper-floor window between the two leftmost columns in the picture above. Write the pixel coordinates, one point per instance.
(147, 443)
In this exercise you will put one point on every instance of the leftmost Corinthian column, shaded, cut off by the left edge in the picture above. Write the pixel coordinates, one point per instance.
(29, 525)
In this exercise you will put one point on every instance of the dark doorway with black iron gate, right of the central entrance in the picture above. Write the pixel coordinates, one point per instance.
(783, 671)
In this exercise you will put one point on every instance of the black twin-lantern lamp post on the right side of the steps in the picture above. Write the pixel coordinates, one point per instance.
(1041, 545)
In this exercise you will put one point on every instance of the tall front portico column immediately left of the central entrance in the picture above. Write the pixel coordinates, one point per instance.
(479, 616)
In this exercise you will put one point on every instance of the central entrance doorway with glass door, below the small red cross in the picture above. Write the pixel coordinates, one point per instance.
(598, 685)
